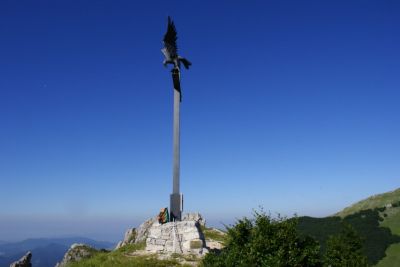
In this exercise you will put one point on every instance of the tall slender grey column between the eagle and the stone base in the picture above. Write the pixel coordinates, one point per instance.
(176, 198)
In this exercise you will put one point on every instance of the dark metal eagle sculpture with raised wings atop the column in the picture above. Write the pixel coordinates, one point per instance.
(170, 49)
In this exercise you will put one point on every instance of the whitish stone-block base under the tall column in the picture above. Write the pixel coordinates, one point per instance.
(184, 237)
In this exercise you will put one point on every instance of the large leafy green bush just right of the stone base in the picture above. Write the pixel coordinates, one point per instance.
(264, 241)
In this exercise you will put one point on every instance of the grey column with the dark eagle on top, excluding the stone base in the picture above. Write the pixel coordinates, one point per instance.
(170, 52)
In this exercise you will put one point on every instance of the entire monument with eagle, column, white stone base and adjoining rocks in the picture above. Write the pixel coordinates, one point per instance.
(180, 233)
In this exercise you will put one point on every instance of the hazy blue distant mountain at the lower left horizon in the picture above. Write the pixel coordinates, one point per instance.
(46, 251)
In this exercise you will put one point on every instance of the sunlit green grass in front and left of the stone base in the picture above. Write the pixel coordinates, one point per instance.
(121, 258)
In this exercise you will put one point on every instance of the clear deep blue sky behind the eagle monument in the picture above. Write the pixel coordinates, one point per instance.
(289, 105)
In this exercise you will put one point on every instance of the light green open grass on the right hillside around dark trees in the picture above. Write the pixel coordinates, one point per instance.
(391, 221)
